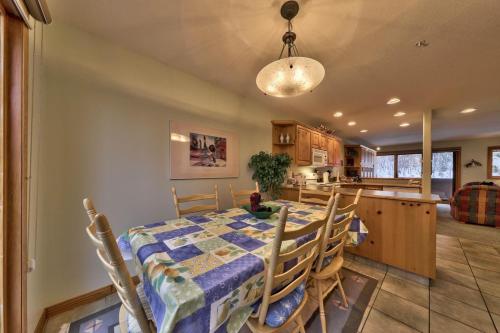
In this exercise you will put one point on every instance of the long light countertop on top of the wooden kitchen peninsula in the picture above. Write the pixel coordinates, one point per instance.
(394, 195)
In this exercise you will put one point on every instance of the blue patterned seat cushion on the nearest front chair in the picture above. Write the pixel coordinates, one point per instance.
(279, 312)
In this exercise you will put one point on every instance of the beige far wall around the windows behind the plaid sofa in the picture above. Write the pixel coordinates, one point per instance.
(471, 149)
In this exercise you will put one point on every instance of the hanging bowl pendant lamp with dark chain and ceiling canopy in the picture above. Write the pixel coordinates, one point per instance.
(292, 75)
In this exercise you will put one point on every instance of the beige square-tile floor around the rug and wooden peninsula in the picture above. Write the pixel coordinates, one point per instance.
(465, 297)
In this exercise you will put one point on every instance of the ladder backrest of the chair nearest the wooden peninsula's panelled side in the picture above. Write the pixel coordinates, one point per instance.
(336, 232)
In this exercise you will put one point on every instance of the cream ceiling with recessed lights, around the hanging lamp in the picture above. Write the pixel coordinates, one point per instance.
(367, 47)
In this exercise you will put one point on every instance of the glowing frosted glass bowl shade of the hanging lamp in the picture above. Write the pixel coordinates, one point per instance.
(292, 76)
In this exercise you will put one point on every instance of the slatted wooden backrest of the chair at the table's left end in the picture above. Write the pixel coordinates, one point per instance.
(101, 235)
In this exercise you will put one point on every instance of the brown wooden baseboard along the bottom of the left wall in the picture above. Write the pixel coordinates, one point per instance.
(75, 302)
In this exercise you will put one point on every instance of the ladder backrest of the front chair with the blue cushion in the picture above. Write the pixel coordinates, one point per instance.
(305, 255)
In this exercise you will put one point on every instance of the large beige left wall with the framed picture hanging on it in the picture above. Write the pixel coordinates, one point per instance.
(101, 129)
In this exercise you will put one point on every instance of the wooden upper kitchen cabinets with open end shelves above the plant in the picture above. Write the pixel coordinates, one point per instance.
(298, 140)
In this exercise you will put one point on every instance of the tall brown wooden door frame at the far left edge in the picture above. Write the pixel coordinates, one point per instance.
(14, 164)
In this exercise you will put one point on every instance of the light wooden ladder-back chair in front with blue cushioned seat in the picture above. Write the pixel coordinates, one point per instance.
(283, 305)
